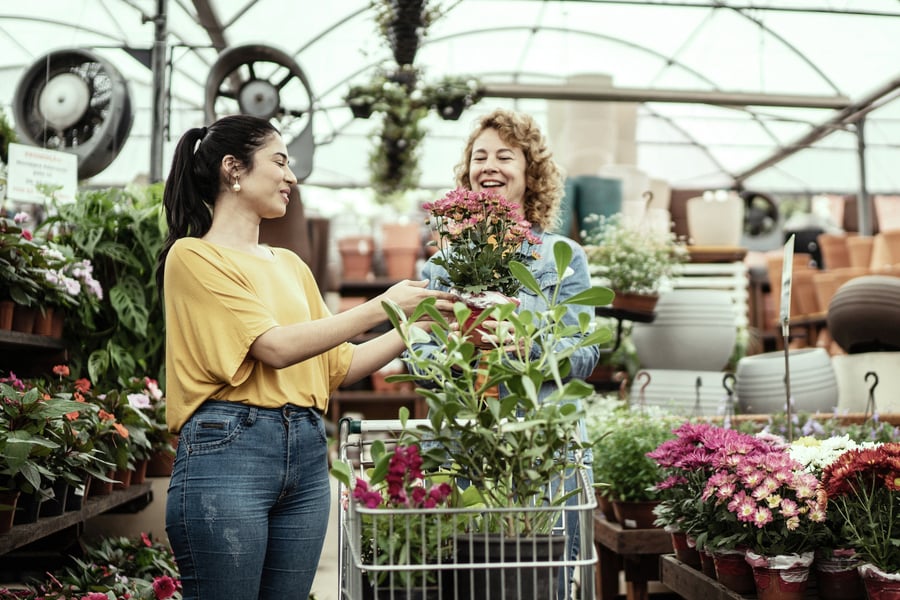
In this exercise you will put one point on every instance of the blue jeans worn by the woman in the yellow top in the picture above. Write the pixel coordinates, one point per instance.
(248, 502)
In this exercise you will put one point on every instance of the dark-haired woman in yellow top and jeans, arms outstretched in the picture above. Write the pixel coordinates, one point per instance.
(252, 355)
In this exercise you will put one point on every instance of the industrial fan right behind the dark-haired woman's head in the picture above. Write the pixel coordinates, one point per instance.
(266, 83)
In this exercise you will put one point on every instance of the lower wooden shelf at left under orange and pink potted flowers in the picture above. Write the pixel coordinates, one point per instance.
(23, 534)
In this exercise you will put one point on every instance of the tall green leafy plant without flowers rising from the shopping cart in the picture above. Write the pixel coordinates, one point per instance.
(509, 448)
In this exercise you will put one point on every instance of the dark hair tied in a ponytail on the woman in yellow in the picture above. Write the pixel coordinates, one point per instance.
(196, 177)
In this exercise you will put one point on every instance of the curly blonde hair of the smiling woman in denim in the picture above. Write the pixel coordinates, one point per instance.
(543, 177)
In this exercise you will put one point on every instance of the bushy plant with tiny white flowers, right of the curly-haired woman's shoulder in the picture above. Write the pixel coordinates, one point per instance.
(630, 259)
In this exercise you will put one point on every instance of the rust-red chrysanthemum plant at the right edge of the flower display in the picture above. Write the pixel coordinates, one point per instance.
(863, 486)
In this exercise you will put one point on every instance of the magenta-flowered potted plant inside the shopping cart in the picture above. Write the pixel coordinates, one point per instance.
(401, 531)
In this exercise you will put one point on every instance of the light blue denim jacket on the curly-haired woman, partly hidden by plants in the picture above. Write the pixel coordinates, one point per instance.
(543, 268)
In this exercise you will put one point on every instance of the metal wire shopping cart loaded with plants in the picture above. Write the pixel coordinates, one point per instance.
(462, 566)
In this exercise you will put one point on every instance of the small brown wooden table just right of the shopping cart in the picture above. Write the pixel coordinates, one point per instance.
(637, 551)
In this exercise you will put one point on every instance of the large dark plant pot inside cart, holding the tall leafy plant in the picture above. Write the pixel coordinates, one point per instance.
(509, 582)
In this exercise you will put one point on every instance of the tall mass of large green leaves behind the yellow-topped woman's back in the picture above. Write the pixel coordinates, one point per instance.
(121, 232)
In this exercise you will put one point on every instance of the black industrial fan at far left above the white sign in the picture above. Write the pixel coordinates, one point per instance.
(77, 102)
